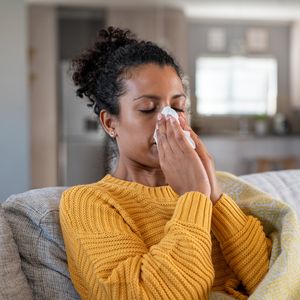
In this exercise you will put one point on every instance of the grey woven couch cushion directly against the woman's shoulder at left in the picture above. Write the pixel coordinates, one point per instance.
(34, 220)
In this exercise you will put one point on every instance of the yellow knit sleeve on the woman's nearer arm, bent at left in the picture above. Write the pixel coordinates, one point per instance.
(108, 260)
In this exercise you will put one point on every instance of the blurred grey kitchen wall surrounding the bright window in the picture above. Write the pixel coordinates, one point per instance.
(279, 40)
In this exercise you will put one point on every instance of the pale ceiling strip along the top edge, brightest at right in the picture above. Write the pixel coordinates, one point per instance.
(274, 10)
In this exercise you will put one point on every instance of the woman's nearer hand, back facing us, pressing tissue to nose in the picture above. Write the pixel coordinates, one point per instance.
(181, 165)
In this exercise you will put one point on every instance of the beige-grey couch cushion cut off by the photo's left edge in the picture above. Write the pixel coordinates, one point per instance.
(13, 283)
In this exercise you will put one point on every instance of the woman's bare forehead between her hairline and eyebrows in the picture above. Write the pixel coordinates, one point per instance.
(153, 78)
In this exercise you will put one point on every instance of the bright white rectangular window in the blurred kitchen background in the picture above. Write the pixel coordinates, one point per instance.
(236, 85)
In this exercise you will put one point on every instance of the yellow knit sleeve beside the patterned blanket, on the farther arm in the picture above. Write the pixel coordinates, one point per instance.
(243, 242)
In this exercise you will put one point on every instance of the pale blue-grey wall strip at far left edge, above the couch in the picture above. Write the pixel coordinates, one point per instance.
(14, 118)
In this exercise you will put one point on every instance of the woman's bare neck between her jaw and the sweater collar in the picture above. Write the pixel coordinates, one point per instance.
(134, 172)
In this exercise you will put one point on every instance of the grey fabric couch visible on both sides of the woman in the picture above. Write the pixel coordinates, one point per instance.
(32, 256)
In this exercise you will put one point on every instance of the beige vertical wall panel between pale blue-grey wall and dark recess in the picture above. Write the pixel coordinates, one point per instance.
(43, 95)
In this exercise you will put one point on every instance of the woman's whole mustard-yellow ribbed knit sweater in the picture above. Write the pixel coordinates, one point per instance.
(125, 240)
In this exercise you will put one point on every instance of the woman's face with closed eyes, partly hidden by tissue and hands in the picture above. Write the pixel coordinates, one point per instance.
(149, 89)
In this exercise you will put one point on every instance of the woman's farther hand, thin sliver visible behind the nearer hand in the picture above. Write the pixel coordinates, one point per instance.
(206, 158)
